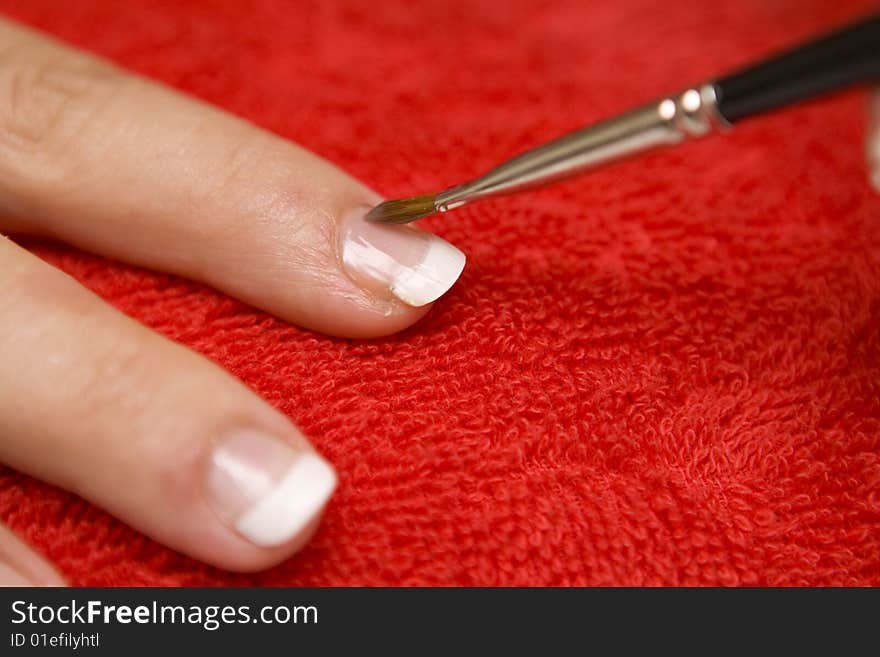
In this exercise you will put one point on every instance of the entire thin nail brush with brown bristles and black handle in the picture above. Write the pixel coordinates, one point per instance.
(830, 63)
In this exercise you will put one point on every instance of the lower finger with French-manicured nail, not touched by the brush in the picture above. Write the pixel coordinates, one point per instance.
(95, 403)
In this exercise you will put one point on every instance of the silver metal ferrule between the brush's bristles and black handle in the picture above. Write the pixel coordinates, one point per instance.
(664, 122)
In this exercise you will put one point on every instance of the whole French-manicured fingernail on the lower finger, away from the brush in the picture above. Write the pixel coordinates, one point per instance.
(265, 489)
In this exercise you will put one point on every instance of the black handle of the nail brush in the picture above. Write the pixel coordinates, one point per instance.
(849, 56)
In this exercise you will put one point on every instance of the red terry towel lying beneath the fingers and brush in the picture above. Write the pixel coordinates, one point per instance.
(664, 373)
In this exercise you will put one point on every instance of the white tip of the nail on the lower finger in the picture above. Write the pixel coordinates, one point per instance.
(297, 498)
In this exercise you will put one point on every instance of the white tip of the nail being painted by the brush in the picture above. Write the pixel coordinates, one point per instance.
(432, 277)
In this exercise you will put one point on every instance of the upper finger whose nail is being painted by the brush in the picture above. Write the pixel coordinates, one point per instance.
(132, 170)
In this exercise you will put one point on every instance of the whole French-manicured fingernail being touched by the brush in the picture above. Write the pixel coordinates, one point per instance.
(402, 261)
